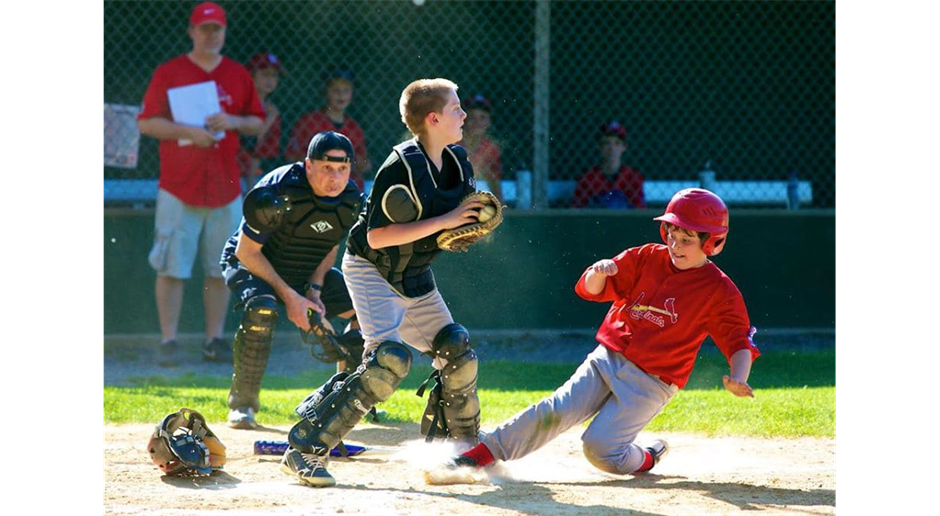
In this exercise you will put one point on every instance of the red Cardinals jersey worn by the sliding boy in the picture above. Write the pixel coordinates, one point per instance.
(661, 315)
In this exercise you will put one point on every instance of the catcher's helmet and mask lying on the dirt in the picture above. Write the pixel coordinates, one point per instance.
(182, 444)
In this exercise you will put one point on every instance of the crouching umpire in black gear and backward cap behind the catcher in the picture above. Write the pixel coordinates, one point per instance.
(283, 253)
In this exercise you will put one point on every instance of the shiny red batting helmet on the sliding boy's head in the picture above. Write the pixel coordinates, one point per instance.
(696, 209)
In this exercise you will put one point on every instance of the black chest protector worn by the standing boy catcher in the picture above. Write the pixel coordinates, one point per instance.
(408, 267)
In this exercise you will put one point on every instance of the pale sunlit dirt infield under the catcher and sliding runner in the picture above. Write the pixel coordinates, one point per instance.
(699, 476)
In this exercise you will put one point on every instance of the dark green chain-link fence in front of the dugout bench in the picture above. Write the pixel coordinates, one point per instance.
(742, 91)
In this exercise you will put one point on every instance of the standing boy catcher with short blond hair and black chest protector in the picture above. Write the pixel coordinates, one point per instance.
(419, 192)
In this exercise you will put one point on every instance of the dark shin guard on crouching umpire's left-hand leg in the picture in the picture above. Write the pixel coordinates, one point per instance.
(252, 348)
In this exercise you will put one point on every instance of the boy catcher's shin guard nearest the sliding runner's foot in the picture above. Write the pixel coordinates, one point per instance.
(453, 405)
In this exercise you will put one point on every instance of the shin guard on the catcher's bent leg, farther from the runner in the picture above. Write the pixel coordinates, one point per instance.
(332, 411)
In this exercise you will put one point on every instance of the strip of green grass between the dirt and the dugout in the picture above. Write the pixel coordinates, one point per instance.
(796, 396)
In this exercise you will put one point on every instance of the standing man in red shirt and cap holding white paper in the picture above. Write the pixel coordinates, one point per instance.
(198, 203)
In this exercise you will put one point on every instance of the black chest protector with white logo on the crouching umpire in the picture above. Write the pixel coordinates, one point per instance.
(311, 227)
